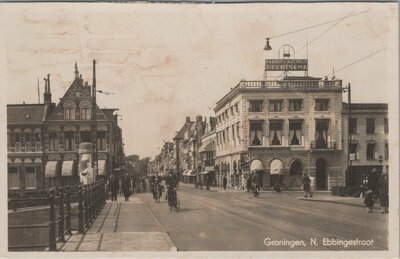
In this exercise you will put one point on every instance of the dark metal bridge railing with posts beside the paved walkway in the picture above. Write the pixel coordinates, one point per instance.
(89, 200)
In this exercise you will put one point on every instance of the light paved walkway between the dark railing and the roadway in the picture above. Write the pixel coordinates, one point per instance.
(122, 226)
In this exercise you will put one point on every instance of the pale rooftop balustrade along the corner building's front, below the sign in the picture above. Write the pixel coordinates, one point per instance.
(292, 84)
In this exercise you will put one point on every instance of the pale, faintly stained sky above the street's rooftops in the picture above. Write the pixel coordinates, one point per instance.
(164, 62)
